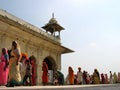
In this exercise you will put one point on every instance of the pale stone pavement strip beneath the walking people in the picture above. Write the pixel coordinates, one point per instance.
(66, 87)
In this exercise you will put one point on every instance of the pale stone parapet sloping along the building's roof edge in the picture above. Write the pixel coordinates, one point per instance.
(21, 23)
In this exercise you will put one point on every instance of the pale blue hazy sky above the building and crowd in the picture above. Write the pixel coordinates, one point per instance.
(92, 29)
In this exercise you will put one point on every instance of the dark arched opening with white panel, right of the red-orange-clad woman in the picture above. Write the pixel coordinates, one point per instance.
(52, 68)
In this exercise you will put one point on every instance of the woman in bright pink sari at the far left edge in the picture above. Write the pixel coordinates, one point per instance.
(4, 59)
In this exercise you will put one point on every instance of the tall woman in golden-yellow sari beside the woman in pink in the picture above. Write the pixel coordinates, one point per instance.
(14, 66)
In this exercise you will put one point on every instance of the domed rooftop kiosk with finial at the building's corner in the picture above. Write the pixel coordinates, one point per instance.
(52, 26)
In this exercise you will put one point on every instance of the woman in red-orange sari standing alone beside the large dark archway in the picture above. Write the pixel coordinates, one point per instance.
(45, 73)
